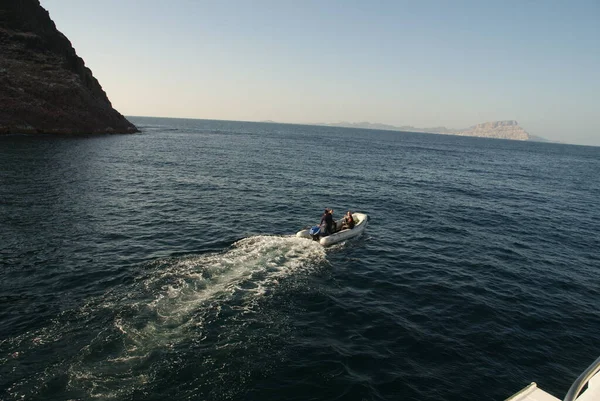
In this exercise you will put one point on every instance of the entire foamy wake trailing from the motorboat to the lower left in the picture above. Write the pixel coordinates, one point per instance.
(191, 301)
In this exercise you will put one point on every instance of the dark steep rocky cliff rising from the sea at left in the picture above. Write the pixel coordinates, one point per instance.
(44, 86)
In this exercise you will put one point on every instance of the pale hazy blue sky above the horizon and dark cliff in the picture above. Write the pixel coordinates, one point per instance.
(420, 63)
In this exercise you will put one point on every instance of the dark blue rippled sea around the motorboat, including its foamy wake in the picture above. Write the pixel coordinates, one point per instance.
(164, 265)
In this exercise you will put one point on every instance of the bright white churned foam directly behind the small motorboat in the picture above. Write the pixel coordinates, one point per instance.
(247, 269)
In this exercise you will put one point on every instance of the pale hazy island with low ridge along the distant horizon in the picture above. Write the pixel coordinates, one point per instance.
(508, 129)
